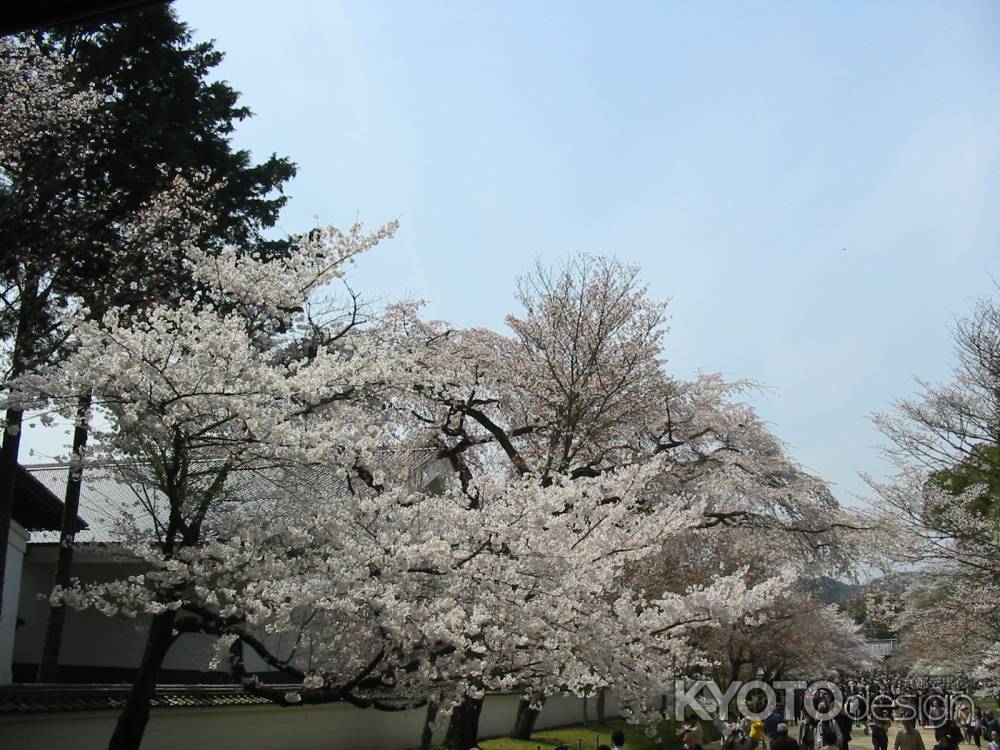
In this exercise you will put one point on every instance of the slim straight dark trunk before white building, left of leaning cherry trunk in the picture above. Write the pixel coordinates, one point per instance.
(48, 668)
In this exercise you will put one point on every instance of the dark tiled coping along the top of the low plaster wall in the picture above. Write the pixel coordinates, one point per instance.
(48, 698)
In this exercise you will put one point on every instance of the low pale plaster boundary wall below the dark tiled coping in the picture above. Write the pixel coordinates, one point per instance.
(332, 727)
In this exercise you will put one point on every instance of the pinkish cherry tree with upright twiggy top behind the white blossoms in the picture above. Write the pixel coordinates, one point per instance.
(579, 391)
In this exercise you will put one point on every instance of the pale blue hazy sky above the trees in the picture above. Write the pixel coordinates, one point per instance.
(814, 185)
